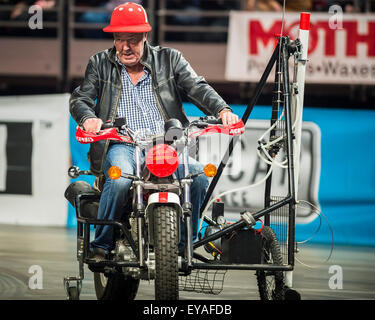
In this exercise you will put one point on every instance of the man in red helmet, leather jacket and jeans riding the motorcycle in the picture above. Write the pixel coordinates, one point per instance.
(145, 85)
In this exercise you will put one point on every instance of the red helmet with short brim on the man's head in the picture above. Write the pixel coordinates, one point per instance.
(128, 17)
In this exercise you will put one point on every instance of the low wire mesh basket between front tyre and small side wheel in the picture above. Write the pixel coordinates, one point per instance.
(203, 281)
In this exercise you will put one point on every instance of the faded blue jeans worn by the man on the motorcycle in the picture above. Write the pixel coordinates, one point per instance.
(115, 191)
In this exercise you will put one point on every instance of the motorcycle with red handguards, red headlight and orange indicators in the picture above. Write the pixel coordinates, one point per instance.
(149, 232)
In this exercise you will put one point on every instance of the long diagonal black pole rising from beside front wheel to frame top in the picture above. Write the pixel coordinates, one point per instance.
(245, 117)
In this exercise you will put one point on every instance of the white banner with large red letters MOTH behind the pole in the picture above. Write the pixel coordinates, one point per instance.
(341, 46)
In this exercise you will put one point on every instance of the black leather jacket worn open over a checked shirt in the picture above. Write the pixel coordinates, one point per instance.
(173, 80)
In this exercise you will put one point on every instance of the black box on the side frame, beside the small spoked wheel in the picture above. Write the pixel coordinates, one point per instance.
(242, 247)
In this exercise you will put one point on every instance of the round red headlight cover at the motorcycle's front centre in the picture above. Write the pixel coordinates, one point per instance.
(162, 160)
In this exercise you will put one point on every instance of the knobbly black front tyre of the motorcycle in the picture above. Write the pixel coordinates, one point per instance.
(166, 253)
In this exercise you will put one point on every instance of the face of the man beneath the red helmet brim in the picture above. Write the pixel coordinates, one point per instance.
(129, 47)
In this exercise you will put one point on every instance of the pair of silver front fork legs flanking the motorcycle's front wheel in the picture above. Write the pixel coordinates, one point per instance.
(139, 208)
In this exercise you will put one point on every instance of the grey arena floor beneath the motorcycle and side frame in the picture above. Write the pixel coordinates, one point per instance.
(53, 250)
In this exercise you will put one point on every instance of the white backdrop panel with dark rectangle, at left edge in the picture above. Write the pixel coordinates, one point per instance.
(48, 116)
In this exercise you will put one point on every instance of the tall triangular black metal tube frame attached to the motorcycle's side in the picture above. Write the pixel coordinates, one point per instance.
(281, 54)
